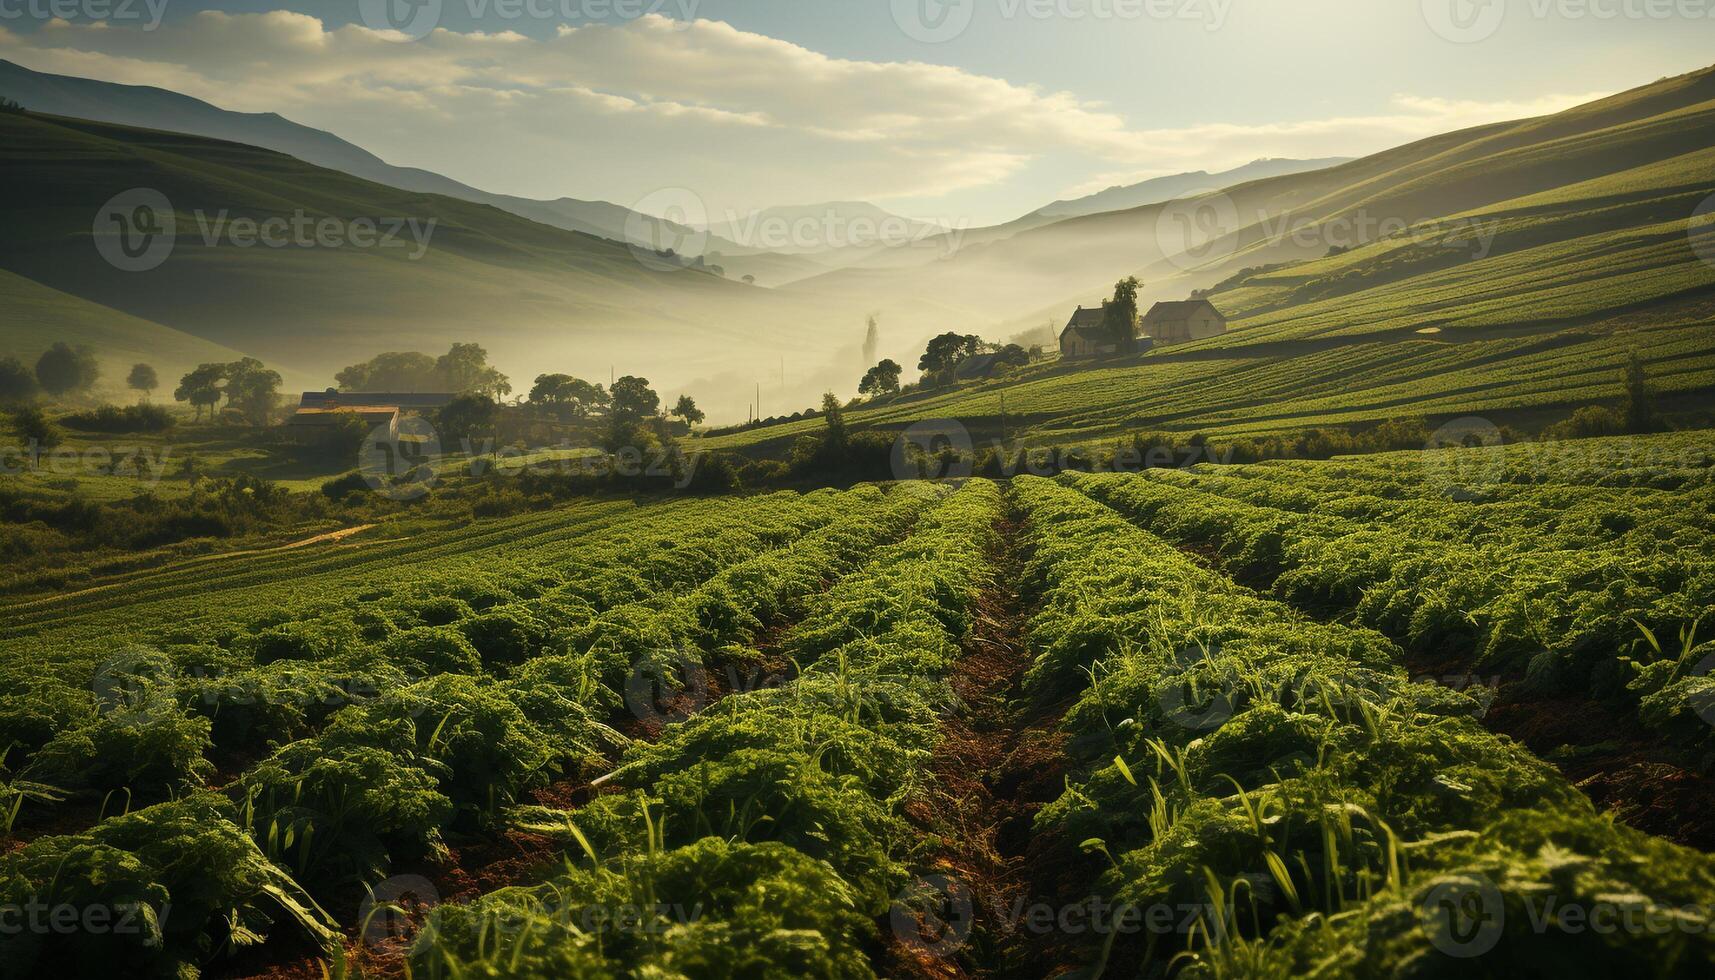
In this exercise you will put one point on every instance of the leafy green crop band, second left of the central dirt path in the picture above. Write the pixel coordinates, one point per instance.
(390, 718)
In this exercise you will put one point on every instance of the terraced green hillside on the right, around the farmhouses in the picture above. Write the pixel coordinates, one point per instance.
(1531, 260)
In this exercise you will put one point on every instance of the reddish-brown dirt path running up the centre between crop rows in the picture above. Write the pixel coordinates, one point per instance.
(1001, 759)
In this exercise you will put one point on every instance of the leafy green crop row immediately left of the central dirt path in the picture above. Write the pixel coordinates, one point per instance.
(766, 835)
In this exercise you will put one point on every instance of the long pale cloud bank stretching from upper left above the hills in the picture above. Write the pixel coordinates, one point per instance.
(613, 111)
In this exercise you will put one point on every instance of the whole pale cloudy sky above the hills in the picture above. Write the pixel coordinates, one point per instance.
(960, 112)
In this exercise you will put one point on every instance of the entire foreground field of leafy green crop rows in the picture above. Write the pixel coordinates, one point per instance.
(1243, 722)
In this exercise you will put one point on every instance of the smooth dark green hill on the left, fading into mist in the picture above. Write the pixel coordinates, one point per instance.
(538, 298)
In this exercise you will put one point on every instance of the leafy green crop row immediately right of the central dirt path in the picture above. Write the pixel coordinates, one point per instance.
(1316, 809)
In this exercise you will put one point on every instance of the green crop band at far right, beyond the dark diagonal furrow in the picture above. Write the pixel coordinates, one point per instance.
(1601, 600)
